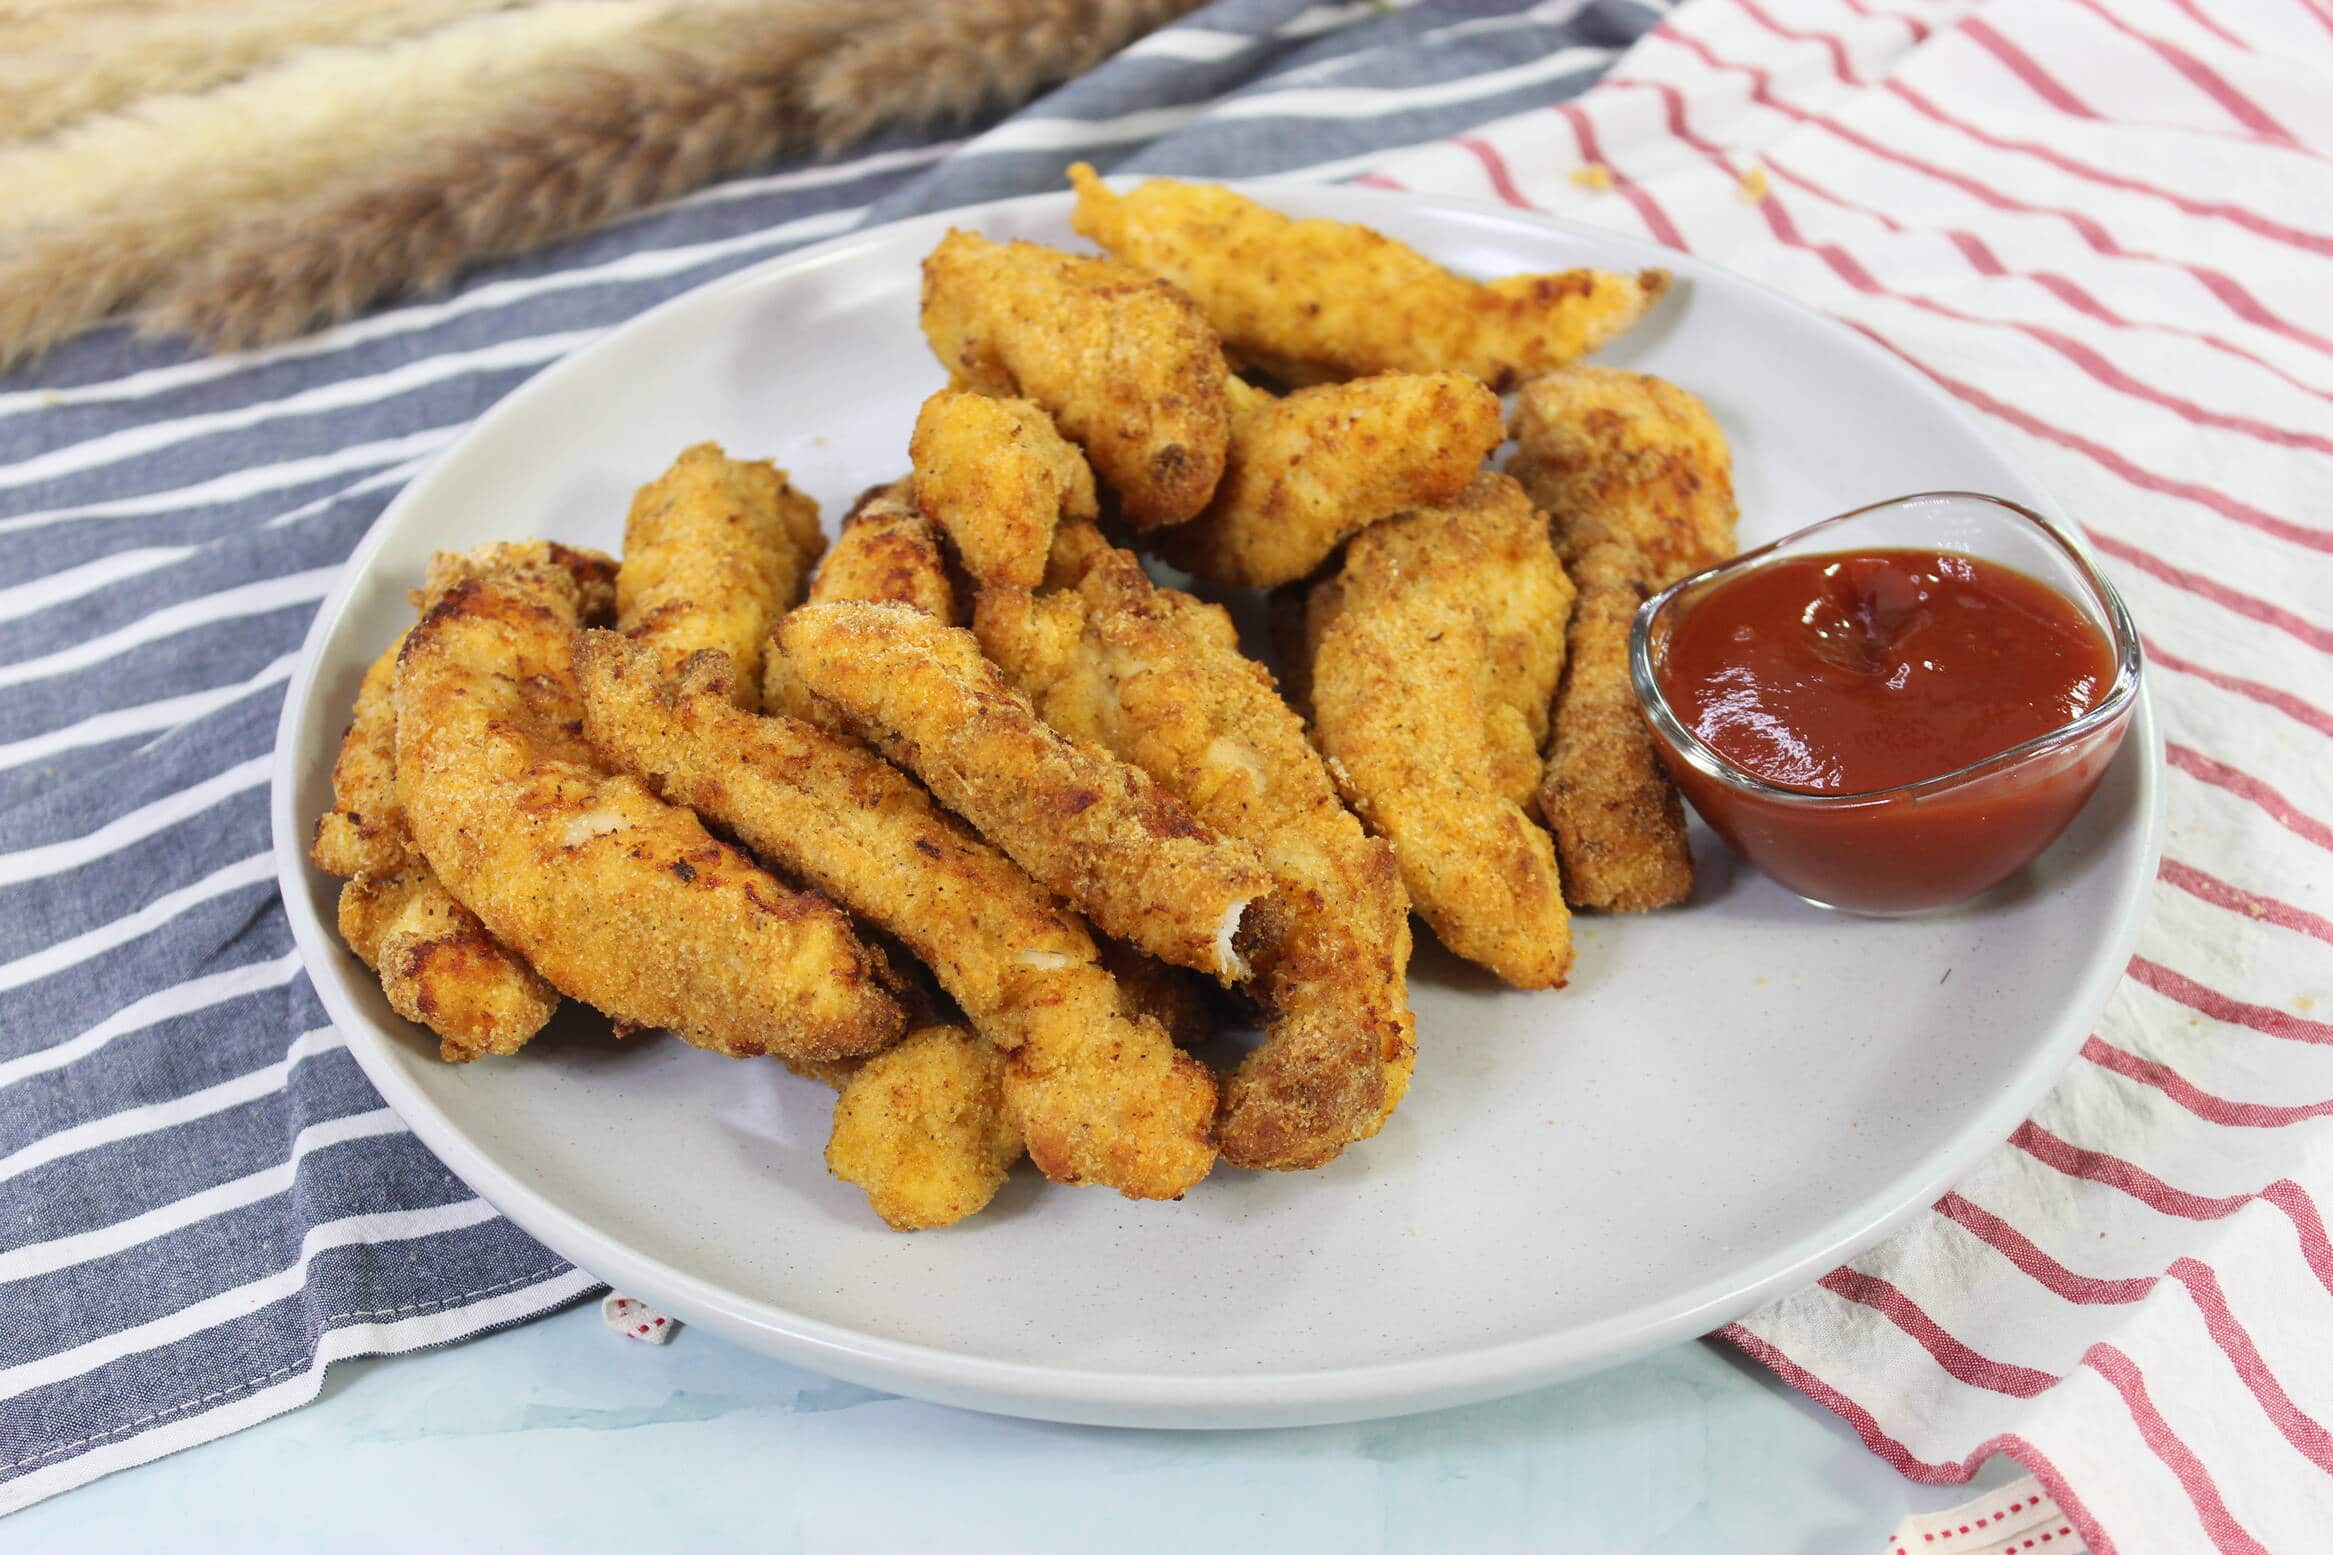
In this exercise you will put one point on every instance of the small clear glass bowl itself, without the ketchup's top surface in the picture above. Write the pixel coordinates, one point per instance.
(1926, 845)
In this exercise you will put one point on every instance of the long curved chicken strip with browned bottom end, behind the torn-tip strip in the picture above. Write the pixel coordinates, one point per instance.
(1158, 680)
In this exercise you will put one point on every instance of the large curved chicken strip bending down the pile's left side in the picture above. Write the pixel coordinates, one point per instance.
(615, 896)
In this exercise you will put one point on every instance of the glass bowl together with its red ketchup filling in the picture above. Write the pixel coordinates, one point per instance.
(1898, 708)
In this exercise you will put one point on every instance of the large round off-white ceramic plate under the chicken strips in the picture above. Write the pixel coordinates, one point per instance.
(1725, 1104)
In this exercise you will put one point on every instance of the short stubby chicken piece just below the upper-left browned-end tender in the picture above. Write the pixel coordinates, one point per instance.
(997, 477)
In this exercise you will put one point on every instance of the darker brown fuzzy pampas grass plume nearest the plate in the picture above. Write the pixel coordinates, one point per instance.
(598, 143)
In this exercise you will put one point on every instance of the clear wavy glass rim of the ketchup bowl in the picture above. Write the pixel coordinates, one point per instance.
(2129, 661)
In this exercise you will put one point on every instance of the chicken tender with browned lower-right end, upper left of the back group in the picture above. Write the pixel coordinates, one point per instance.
(1123, 363)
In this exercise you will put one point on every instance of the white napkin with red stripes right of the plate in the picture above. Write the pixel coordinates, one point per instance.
(2108, 230)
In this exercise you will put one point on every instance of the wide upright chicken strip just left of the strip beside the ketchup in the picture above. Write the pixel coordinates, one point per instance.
(1410, 715)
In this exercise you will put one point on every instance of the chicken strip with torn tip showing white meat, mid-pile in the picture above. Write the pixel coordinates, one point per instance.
(1091, 829)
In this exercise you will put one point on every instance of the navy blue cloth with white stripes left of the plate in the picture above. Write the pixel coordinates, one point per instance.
(202, 1199)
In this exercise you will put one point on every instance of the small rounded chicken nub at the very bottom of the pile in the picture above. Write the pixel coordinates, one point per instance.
(925, 1130)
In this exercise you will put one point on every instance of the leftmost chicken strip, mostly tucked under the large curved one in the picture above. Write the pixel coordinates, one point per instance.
(435, 959)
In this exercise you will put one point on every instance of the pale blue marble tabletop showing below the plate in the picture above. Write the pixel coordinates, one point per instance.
(563, 1437)
